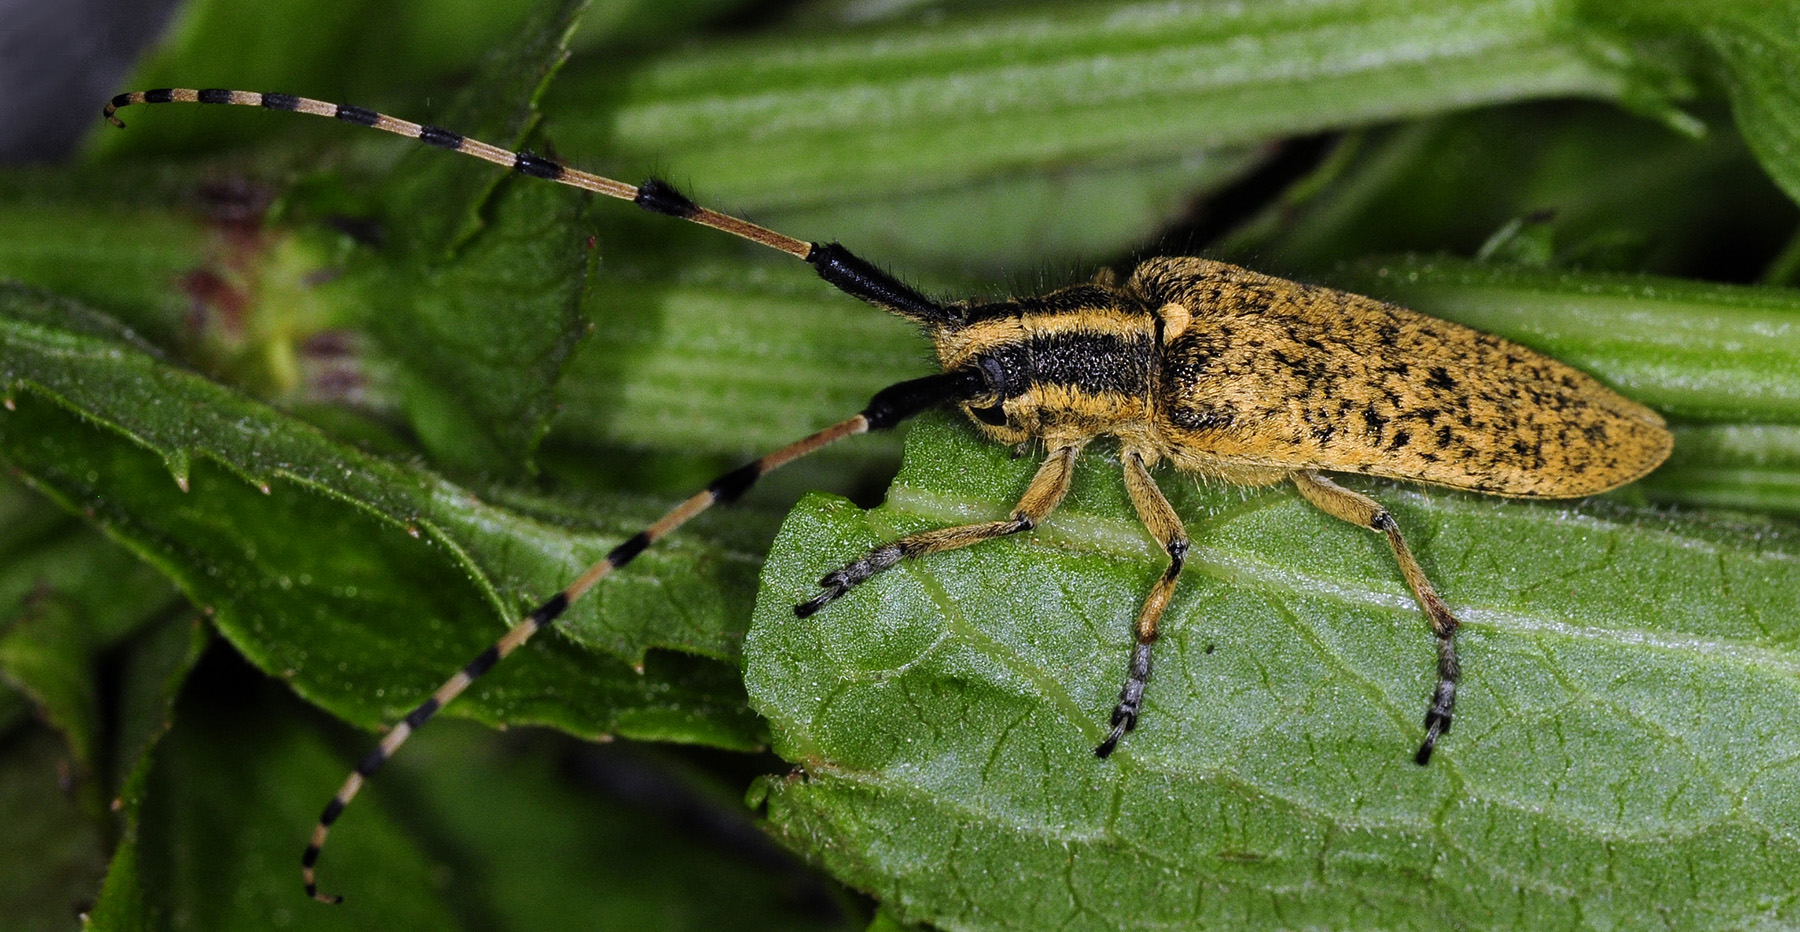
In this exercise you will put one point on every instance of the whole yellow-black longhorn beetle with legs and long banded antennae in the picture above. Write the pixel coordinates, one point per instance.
(1218, 370)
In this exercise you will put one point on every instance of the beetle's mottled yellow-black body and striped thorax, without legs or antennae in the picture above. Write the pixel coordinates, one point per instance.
(1245, 377)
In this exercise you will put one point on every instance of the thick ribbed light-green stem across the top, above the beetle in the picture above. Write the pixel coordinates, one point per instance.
(796, 121)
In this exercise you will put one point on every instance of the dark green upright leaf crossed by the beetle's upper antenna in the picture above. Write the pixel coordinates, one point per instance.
(478, 296)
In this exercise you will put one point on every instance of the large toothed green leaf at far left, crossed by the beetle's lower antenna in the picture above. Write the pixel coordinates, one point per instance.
(228, 497)
